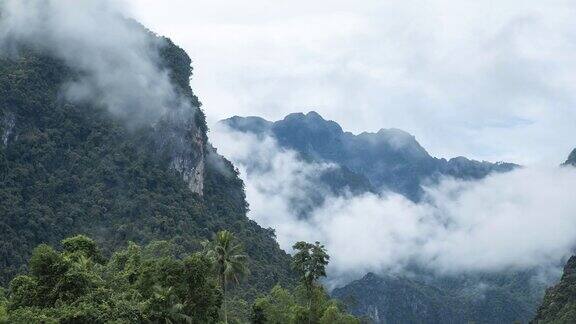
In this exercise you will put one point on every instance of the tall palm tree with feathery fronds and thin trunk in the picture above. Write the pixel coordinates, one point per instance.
(229, 261)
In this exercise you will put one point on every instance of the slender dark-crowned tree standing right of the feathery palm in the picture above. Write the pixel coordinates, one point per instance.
(310, 263)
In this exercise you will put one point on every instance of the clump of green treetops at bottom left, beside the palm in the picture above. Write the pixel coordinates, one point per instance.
(133, 286)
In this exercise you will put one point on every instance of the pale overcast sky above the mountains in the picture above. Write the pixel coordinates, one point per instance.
(489, 80)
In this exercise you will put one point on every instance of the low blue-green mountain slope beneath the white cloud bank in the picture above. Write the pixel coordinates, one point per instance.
(480, 299)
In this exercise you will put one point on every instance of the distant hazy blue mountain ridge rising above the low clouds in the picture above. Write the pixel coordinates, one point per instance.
(389, 159)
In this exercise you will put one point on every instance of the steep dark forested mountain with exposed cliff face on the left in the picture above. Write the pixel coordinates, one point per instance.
(68, 168)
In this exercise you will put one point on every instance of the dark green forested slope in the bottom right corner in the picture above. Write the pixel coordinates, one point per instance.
(559, 305)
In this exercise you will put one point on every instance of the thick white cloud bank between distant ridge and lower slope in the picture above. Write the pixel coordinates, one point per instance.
(521, 220)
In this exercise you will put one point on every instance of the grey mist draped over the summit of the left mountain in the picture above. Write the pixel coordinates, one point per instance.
(116, 59)
